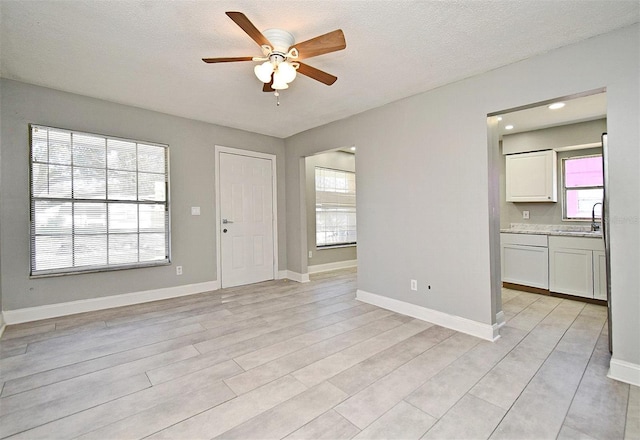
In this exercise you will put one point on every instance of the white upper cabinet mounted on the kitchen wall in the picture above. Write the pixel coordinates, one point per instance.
(532, 177)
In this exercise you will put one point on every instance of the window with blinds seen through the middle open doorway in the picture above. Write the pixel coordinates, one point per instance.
(335, 207)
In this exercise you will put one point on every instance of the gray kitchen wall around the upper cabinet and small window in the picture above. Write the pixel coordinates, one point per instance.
(573, 134)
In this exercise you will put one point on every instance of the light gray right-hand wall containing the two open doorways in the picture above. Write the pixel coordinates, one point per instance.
(424, 208)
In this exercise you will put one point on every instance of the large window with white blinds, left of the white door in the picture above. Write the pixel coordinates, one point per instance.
(97, 202)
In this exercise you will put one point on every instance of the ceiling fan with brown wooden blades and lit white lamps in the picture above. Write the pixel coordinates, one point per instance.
(281, 56)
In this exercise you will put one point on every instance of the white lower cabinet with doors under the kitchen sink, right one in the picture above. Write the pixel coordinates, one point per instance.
(574, 266)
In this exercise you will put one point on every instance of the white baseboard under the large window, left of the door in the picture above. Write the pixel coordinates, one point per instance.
(88, 305)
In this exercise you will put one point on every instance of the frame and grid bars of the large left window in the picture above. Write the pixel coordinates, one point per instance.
(34, 273)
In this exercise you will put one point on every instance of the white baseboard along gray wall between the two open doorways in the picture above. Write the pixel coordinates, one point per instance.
(484, 331)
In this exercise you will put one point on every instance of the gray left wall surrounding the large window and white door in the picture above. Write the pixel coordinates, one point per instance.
(192, 146)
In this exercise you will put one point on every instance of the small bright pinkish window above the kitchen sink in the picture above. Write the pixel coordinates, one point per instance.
(583, 180)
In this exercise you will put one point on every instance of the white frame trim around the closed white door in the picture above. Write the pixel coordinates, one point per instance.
(274, 204)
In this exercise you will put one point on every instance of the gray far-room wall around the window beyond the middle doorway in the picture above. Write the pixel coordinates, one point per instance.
(337, 160)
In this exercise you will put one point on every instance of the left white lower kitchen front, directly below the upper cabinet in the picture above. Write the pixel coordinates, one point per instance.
(525, 259)
